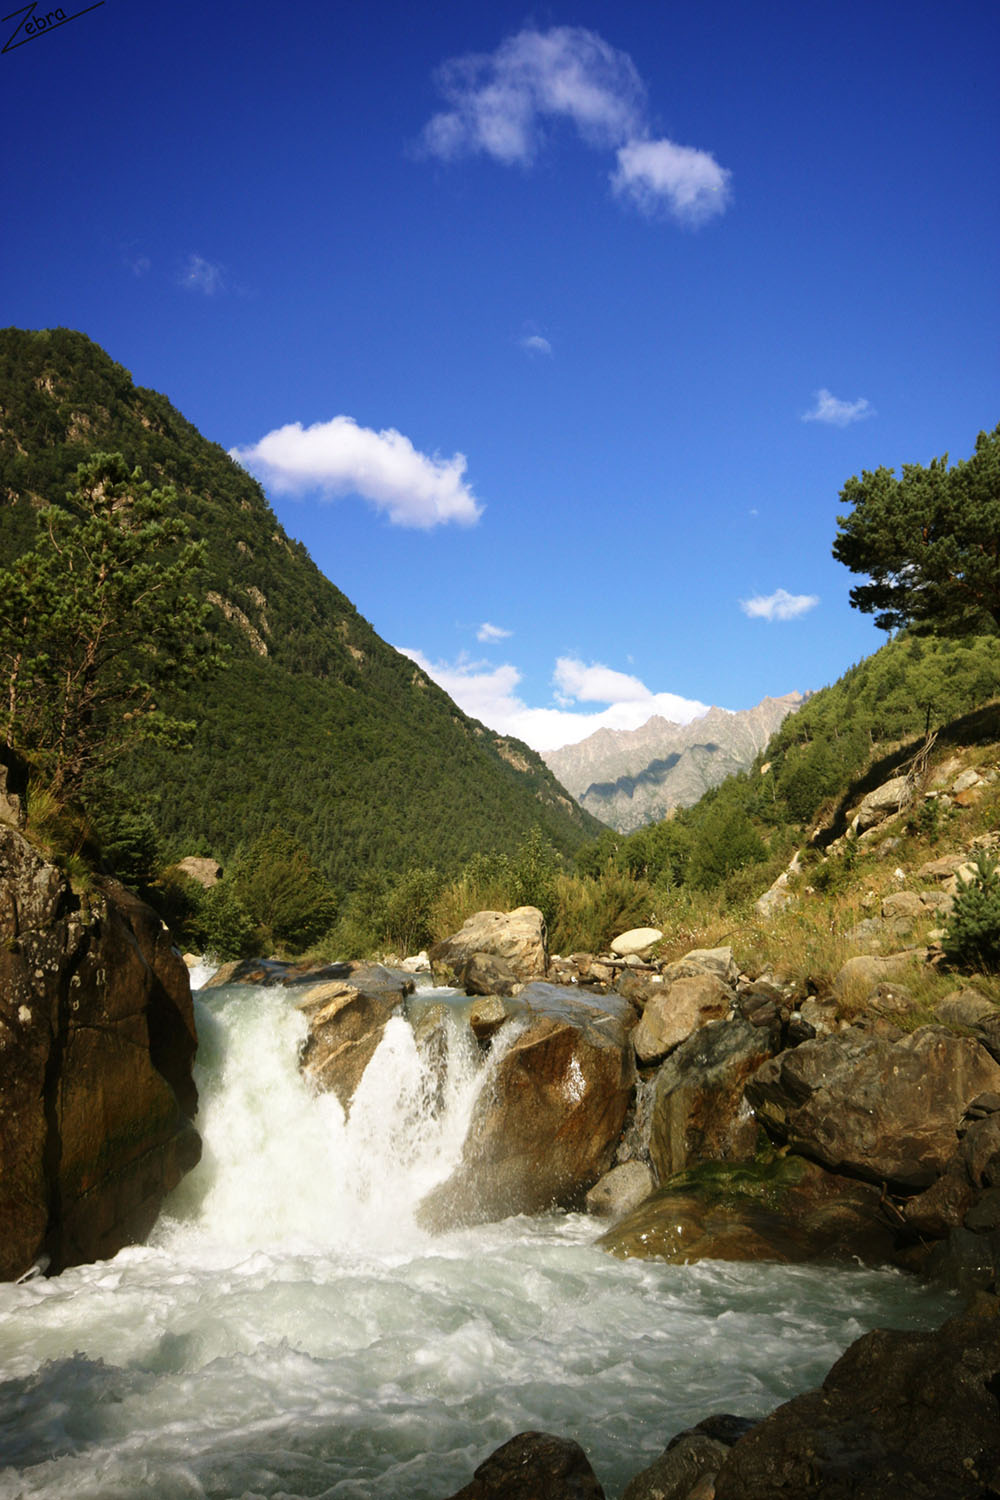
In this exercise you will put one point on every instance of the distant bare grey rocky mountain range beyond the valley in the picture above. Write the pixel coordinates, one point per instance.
(630, 778)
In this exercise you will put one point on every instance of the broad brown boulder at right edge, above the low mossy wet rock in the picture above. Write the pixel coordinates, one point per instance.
(878, 1109)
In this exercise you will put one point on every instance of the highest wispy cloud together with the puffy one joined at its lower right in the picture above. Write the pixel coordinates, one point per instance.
(501, 104)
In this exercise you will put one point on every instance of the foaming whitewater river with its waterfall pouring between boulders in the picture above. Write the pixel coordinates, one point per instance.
(290, 1333)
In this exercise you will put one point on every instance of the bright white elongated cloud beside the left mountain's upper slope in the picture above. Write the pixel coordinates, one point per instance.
(341, 458)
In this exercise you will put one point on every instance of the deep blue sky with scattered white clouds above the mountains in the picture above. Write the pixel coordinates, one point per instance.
(552, 334)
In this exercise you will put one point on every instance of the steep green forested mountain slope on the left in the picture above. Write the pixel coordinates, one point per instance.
(317, 725)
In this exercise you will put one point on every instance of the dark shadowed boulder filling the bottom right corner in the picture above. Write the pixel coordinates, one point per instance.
(900, 1417)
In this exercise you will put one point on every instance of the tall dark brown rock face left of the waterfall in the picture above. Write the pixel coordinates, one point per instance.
(97, 1049)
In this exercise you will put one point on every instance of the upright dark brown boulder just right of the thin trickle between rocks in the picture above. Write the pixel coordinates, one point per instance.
(698, 1106)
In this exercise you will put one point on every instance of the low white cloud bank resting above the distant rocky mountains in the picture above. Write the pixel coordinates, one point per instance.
(490, 695)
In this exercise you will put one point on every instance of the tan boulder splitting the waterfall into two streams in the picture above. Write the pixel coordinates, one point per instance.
(347, 1019)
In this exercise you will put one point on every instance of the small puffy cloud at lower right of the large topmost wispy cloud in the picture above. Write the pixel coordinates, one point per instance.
(660, 176)
